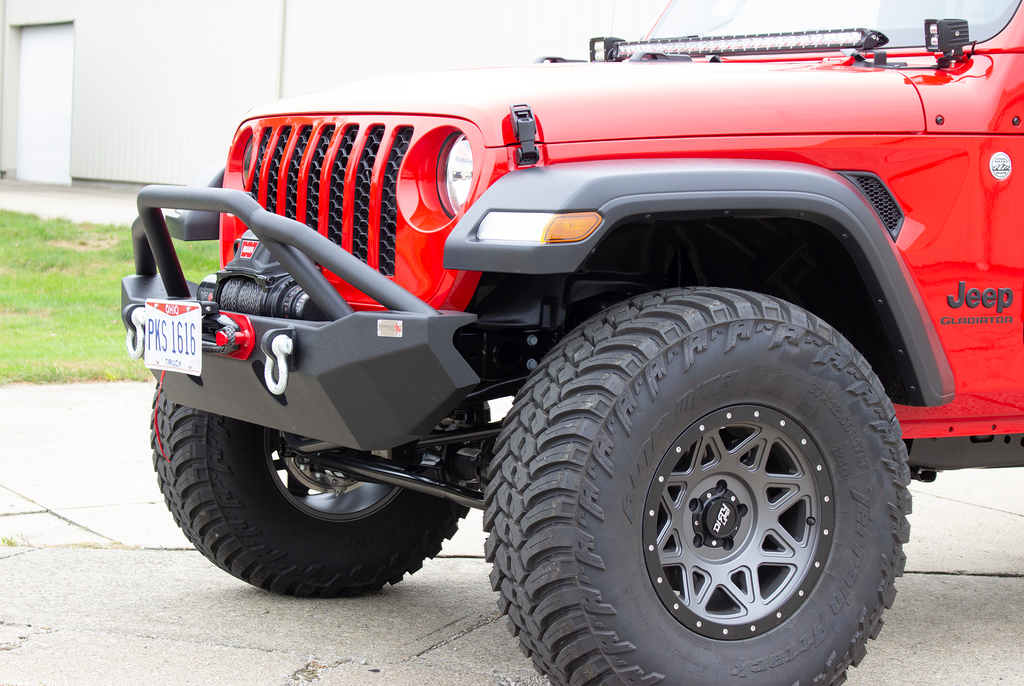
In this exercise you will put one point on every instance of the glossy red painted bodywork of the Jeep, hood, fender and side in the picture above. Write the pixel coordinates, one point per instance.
(929, 135)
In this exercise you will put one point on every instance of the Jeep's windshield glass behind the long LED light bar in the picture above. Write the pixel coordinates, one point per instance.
(902, 21)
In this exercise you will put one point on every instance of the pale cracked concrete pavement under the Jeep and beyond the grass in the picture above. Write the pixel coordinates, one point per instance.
(98, 586)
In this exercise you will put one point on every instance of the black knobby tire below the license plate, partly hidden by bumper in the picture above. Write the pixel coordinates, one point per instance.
(220, 486)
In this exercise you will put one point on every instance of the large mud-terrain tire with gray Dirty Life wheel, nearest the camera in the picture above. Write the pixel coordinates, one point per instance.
(699, 487)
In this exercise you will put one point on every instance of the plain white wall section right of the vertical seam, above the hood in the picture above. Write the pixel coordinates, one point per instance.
(329, 44)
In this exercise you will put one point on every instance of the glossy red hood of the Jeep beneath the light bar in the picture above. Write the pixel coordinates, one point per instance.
(603, 102)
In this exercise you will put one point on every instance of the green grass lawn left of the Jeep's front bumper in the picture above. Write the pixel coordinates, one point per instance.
(61, 299)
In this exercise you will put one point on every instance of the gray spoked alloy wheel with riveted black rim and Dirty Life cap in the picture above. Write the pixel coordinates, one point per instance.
(738, 523)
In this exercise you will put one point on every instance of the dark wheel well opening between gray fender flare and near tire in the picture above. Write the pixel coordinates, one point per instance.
(788, 258)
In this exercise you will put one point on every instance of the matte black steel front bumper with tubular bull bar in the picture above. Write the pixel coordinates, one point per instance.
(348, 383)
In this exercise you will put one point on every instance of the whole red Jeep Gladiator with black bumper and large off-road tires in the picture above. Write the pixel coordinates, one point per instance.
(746, 279)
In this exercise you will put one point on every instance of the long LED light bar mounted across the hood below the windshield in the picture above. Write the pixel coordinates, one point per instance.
(863, 39)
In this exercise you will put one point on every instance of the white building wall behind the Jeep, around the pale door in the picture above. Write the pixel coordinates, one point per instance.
(160, 85)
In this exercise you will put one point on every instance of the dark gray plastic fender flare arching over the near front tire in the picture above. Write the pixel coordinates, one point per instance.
(621, 190)
